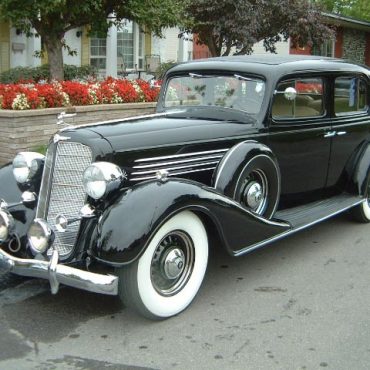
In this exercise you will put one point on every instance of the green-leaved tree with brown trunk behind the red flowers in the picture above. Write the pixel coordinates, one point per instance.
(53, 18)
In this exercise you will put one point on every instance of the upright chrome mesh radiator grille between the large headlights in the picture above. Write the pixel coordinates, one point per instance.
(62, 190)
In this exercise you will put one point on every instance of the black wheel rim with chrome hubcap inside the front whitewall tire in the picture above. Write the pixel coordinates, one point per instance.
(172, 263)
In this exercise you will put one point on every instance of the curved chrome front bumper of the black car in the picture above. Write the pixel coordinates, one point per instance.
(60, 274)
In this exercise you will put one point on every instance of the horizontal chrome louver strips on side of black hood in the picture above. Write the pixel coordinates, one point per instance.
(176, 165)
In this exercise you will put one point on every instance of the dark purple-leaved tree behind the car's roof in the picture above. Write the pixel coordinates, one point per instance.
(236, 25)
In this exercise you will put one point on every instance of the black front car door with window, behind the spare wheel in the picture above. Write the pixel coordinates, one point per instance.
(300, 136)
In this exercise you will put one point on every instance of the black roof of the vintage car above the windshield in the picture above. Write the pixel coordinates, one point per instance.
(270, 64)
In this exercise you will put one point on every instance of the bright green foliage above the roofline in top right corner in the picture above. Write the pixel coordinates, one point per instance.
(354, 8)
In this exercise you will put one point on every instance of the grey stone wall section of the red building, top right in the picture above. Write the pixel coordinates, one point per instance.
(354, 45)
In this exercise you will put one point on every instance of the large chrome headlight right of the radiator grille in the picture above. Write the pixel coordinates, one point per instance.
(100, 178)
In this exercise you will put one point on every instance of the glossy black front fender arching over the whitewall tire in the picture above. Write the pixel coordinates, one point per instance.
(127, 227)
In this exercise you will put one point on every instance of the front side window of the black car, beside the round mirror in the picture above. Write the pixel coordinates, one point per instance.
(299, 98)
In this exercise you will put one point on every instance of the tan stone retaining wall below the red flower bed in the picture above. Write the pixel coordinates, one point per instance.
(26, 130)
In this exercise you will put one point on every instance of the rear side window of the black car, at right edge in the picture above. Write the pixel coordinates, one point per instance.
(349, 95)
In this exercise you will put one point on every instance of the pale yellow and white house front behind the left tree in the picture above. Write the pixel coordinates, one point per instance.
(126, 49)
